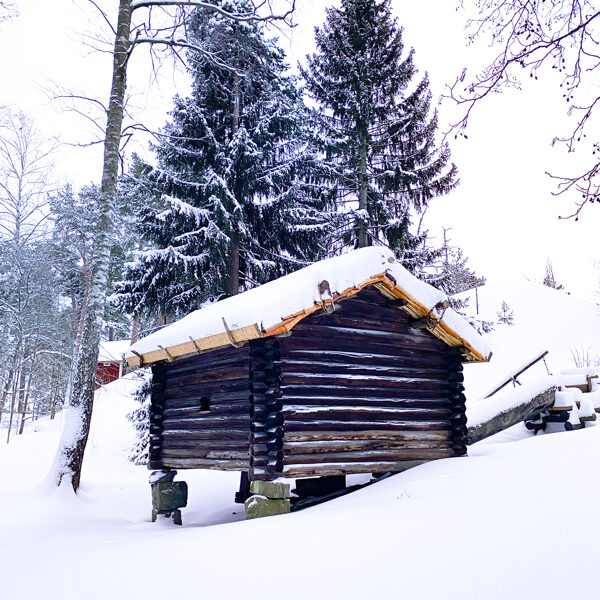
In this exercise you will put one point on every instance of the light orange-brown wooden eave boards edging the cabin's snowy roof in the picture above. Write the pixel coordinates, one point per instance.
(382, 282)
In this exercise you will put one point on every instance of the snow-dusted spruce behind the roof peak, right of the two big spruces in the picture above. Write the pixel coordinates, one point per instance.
(375, 127)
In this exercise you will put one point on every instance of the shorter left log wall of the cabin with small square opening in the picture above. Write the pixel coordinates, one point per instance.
(200, 411)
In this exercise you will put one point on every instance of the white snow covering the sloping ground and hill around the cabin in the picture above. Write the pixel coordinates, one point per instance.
(515, 519)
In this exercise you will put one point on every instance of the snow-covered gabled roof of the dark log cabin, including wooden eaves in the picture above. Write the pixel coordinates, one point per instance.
(276, 307)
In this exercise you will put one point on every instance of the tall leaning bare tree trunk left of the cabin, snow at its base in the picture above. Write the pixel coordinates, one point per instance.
(67, 466)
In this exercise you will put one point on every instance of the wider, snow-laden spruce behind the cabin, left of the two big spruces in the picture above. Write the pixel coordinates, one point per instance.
(236, 206)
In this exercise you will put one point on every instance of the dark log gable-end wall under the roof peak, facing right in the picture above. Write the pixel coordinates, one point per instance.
(356, 391)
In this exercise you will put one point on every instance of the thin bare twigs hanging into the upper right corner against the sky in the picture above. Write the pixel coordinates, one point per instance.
(540, 37)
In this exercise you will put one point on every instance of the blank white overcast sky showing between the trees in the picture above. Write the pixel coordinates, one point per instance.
(503, 214)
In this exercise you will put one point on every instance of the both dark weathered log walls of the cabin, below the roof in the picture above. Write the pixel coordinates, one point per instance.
(351, 392)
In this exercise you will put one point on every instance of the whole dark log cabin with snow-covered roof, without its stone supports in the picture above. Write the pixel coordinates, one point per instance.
(350, 365)
